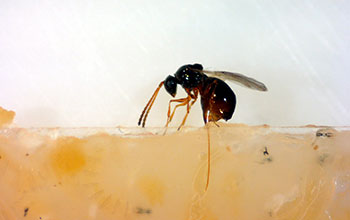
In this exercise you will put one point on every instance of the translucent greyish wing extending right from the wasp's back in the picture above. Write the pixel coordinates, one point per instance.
(238, 78)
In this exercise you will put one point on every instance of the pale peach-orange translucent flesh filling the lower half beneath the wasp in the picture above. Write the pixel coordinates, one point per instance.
(102, 175)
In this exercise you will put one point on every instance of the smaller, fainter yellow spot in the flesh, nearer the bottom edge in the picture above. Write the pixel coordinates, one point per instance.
(152, 188)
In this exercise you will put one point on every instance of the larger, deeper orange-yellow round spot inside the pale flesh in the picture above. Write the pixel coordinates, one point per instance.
(68, 157)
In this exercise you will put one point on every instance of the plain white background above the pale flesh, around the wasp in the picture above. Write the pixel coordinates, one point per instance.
(96, 63)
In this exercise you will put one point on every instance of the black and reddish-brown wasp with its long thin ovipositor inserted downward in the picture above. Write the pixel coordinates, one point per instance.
(217, 98)
